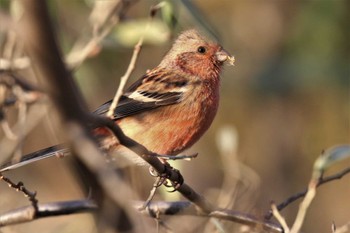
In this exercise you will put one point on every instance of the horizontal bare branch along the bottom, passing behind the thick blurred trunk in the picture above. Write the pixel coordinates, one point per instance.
(154, 209)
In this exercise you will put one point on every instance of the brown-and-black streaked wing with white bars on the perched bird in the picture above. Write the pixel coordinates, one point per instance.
(155, 89)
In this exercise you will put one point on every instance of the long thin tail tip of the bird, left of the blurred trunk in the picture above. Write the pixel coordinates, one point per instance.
(58, 151)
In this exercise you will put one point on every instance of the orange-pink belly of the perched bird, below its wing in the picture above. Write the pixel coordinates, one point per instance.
(169, 132)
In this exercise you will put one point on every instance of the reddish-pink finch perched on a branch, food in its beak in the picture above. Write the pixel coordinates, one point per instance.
(172, 105)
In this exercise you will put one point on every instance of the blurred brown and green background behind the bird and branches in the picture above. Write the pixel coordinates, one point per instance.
(286, 99)
